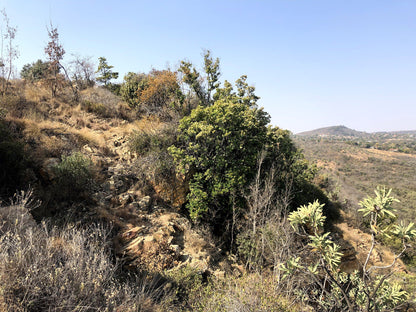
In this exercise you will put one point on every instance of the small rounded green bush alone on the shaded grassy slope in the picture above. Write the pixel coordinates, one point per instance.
(74, 176)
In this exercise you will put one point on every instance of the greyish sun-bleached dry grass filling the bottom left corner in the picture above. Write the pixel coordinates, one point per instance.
(45, 268)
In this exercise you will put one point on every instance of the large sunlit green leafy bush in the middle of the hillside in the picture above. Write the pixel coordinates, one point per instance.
(218, 148)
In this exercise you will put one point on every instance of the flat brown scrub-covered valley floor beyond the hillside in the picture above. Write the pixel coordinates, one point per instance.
(350, 172)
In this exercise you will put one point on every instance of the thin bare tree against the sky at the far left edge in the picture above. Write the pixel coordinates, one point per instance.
(8, 51)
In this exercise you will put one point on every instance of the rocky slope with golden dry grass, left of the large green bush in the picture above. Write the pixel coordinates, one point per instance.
(152, 233)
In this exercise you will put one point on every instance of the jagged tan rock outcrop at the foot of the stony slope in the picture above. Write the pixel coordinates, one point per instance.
(166, 241)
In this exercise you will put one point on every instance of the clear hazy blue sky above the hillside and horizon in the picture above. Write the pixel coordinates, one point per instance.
(314, 63)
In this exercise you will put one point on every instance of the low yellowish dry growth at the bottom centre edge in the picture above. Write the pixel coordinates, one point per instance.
(251, 292)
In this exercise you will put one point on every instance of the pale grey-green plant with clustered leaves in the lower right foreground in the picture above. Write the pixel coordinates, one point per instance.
(365, 290)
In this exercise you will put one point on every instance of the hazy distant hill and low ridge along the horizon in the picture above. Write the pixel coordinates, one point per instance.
(343, 131)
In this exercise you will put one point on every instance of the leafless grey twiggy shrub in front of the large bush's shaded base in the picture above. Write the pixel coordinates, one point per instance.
(268, 239)
